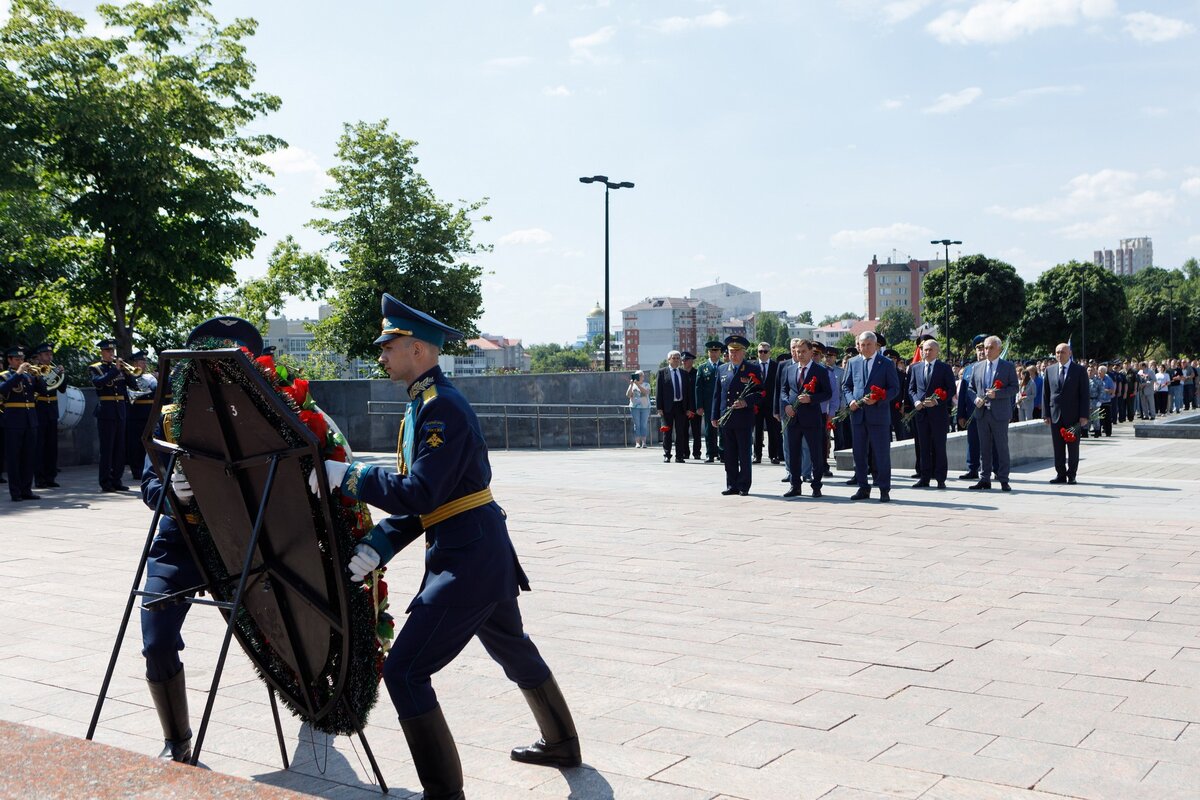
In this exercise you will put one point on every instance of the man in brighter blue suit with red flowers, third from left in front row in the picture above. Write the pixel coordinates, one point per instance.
(872, 419)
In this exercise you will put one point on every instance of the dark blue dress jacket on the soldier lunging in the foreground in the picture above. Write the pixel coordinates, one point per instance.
(470, 560)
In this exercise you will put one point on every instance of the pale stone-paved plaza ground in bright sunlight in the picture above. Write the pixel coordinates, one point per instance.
(1037, 645)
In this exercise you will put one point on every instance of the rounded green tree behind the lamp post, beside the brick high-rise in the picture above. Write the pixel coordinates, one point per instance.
(988, 297)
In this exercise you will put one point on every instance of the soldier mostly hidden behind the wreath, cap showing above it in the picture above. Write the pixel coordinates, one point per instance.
(171, 569)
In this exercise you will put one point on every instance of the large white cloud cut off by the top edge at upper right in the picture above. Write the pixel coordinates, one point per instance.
(1003, 21)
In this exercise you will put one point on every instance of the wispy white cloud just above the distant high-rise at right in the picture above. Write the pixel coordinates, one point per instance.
(1108, 203)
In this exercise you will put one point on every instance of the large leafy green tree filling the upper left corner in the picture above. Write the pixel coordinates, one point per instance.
(141, 135)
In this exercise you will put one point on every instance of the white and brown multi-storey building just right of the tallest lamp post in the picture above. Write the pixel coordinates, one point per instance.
(658, 326)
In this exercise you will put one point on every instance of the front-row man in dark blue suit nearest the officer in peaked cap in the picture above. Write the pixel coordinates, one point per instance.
(803, 388)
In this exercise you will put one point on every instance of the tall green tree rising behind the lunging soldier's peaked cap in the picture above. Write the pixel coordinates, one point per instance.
(393, 234)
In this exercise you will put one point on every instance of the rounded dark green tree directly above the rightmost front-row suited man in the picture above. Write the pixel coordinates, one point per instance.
(1054, 312)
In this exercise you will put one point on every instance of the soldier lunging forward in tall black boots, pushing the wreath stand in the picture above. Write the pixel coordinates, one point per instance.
(472, 575)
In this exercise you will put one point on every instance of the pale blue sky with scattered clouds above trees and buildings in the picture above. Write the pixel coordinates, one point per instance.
(775, 146)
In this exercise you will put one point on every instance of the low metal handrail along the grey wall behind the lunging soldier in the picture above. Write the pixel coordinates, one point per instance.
(577, 416)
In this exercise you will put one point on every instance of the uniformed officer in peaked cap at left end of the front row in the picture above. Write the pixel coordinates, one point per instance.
(737, 431)
